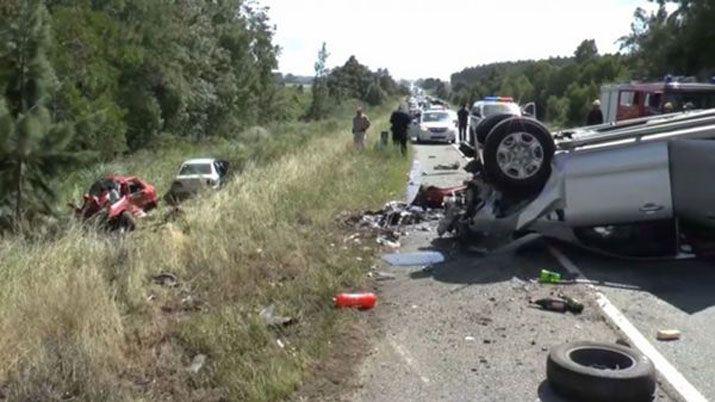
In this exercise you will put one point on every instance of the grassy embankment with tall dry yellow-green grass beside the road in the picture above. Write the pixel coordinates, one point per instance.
(80, 316)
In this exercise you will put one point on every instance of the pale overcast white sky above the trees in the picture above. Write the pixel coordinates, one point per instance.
(435, 38)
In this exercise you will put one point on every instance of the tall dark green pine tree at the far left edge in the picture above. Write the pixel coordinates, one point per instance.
(32, 147)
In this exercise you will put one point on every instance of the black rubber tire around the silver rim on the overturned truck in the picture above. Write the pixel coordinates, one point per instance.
(531, 184)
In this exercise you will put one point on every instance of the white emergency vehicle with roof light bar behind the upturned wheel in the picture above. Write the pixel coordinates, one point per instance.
(503, 106)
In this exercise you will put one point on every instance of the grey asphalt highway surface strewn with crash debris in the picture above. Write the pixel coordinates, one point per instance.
(464, 330)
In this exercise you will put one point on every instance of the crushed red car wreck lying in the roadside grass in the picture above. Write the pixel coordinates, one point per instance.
(115, 201)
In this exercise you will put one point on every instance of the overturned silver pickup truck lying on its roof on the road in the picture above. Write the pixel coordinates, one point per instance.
(642, 188)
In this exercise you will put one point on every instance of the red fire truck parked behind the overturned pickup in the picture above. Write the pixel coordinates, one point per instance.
(630, 101)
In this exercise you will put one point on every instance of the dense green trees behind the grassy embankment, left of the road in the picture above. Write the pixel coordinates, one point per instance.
(91, 80)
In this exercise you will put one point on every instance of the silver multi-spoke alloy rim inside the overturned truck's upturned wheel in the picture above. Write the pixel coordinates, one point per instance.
(520, 155)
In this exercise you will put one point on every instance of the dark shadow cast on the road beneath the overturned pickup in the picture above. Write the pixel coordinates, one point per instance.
(685, 284)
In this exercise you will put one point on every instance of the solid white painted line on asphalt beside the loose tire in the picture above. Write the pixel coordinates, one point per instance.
(681, 385)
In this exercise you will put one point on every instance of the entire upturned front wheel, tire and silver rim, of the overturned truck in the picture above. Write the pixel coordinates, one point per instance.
(517, 156)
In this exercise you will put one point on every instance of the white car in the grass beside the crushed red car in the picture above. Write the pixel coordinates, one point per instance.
(197, 174)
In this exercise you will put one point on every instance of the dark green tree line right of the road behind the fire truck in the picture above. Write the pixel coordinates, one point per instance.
(679, 42)
